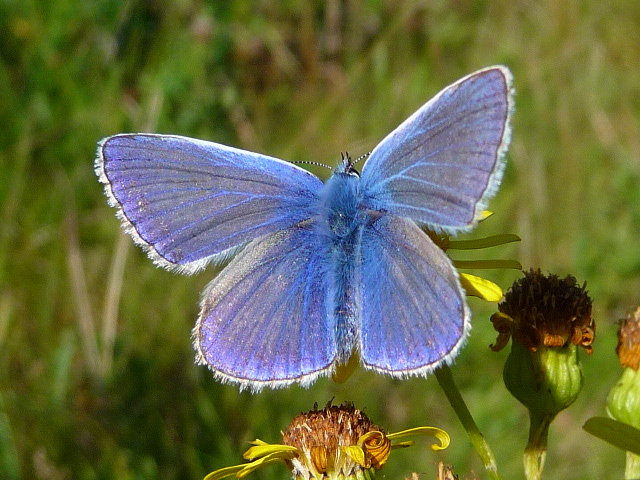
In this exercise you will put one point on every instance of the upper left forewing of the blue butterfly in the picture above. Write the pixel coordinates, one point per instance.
(187, 201)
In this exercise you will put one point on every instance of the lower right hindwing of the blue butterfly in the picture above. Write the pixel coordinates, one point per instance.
(414, 314)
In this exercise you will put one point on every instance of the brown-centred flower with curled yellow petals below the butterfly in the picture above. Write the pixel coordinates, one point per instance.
(329, 444)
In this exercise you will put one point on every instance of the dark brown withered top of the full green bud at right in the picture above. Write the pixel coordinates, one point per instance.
(546, 311)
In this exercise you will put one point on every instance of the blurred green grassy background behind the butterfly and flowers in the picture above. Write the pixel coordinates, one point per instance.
(97, 378)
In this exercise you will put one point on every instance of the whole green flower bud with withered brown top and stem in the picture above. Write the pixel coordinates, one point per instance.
(548, 318)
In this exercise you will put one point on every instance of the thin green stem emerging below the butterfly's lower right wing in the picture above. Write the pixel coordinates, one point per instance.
(445, 379)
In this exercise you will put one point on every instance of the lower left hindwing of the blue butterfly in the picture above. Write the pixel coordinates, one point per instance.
(264, 319)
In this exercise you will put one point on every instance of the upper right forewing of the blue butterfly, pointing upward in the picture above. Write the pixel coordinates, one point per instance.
(443, 163)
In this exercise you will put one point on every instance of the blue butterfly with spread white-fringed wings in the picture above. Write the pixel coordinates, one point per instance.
(320, 271)
